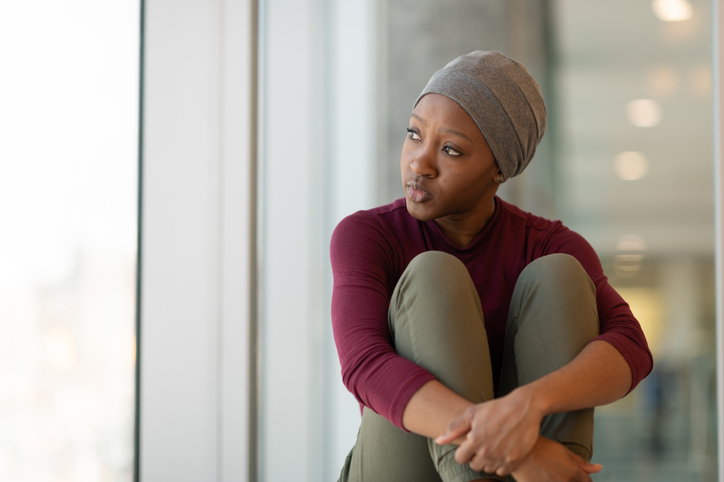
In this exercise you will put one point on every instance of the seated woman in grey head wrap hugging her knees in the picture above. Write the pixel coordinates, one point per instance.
(476, 337)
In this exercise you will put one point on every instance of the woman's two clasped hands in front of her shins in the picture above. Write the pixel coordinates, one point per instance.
(502, 437)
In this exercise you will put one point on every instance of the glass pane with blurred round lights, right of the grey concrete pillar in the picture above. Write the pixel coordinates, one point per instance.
(634, 138)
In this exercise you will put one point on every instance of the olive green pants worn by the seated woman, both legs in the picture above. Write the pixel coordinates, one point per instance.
(437, 322)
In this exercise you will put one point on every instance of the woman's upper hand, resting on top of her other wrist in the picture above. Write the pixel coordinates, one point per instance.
(498, 434)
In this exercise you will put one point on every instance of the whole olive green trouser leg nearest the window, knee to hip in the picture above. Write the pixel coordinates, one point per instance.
(436, 321)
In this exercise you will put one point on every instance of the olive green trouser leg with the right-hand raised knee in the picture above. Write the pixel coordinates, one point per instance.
(553, 315)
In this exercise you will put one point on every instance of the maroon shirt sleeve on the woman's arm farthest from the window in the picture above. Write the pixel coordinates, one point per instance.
(618, 326)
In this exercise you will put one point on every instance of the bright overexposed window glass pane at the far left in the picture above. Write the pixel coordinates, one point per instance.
(68, 201)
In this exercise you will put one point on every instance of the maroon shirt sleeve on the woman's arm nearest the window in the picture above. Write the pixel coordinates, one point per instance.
(362, 256)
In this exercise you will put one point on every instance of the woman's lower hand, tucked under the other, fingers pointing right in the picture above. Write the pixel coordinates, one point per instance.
(550, 461)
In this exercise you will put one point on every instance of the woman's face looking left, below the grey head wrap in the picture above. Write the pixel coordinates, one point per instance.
(448, 170)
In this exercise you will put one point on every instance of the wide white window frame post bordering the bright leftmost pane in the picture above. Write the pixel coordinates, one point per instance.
(197, 241)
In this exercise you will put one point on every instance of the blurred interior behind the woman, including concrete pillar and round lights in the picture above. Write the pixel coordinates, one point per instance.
(626, 162)
